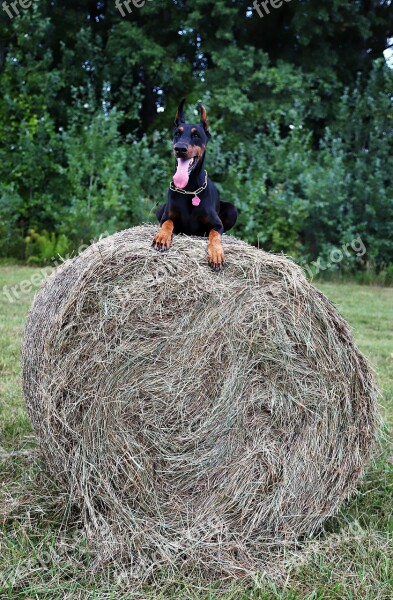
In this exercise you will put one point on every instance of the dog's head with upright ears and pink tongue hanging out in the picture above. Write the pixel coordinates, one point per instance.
(189, 145)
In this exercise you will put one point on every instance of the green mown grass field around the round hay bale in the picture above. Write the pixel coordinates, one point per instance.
(40, 558)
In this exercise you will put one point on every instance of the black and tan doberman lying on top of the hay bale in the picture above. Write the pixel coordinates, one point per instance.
(194, 206)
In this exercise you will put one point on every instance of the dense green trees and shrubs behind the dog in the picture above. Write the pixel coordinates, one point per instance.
(300, 105)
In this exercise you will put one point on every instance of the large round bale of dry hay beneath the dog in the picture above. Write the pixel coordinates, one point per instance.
(197, 419)
